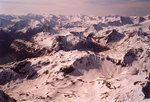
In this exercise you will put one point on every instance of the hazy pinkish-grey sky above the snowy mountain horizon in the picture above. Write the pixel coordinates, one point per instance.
(72, 7)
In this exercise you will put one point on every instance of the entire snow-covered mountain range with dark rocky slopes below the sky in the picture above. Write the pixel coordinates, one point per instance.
(49, 58)
